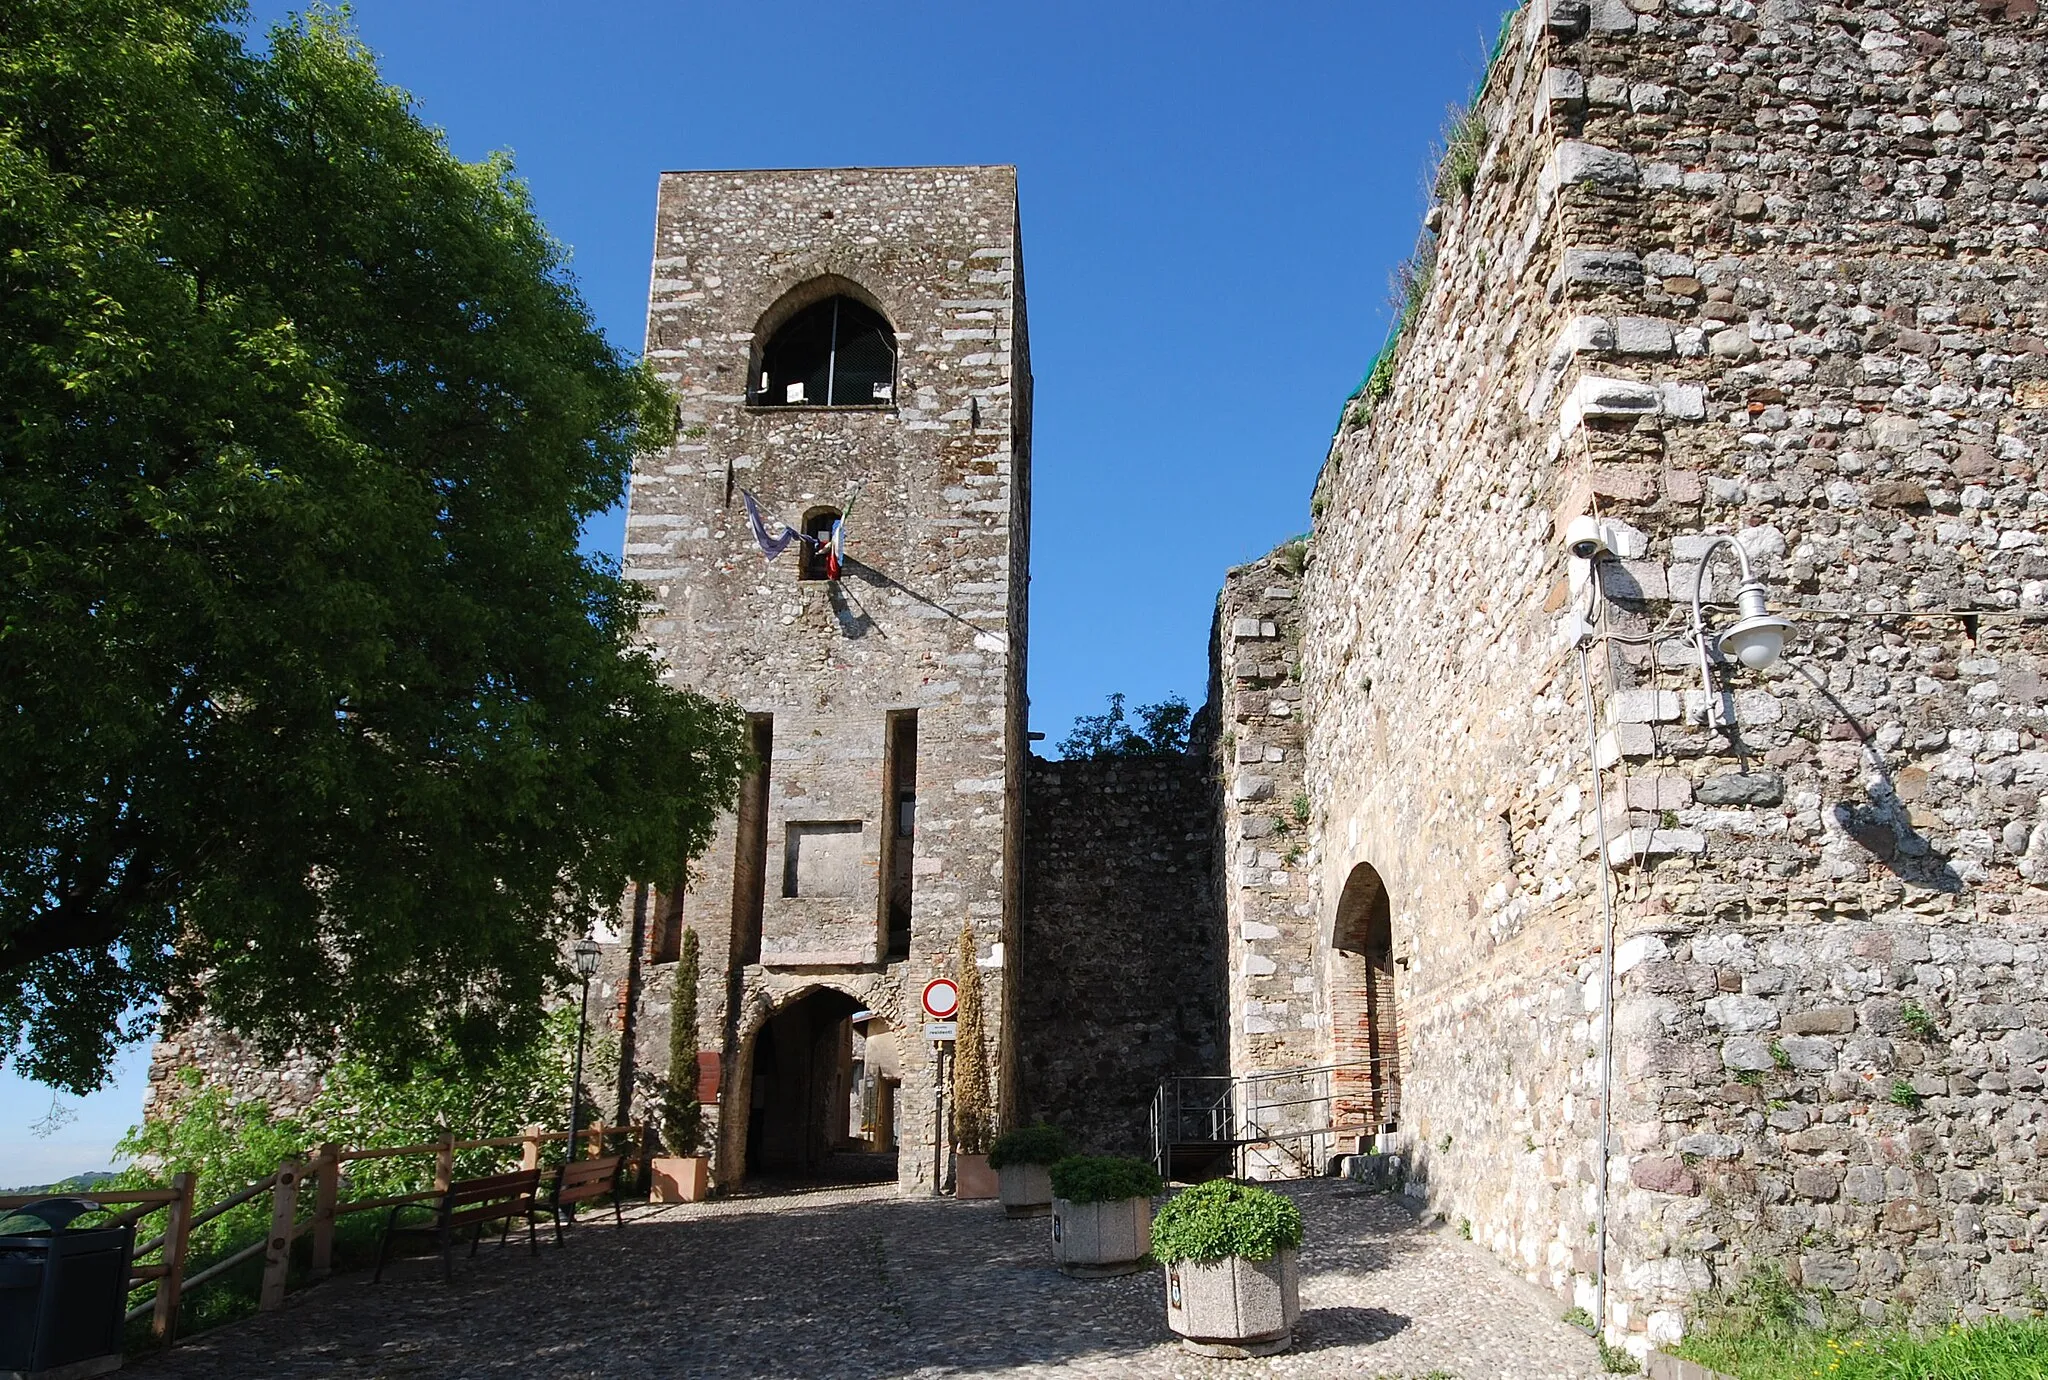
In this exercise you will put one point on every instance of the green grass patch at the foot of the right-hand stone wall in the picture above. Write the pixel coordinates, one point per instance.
(1764, 1330)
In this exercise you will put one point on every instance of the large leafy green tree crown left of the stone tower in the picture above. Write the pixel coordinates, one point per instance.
(310, 695)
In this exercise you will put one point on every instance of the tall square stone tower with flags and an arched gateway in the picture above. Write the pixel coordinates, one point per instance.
(849, 347)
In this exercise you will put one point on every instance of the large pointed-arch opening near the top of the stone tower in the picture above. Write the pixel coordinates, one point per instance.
(824, 345)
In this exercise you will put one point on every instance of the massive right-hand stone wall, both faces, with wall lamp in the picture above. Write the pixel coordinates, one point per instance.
(1725, 269)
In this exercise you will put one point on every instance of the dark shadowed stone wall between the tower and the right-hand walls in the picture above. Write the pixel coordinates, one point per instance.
(1121, 957)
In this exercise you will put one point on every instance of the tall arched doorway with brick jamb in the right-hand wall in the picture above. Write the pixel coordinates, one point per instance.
(1363, 1004)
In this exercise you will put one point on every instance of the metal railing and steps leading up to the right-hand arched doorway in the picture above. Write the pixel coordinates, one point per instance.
(1273, 1125)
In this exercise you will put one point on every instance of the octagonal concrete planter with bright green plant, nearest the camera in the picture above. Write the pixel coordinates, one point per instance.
(1232, 1279)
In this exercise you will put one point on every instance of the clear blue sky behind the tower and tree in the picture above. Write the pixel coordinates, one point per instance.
(1213, 198)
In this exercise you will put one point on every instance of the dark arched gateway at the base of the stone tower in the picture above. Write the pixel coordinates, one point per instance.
(810, 1096)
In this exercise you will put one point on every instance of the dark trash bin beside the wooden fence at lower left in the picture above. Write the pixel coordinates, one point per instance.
(65, 1301)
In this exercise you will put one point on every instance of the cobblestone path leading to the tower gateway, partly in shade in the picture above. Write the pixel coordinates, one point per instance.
(861, 1285)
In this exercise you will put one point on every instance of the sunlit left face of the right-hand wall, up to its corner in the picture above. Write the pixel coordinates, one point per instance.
(1447, 734)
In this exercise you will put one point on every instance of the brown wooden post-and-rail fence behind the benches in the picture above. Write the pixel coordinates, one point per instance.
(325, 1168)
